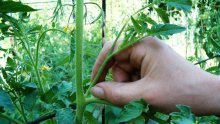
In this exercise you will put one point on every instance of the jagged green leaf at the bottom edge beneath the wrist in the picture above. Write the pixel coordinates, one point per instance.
(183, 117)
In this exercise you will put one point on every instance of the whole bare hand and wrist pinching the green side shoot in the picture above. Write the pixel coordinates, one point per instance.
(152, 71)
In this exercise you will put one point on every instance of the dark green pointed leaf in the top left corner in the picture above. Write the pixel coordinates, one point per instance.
(12, 7)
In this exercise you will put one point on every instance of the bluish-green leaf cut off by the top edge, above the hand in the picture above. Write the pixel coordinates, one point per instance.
(184, 5)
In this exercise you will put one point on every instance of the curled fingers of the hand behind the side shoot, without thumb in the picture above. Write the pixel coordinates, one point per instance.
(132, 56)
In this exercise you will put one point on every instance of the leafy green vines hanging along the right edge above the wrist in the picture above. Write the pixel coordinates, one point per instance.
(207, 33)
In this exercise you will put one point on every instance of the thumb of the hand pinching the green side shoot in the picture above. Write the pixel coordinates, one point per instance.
(118, 93)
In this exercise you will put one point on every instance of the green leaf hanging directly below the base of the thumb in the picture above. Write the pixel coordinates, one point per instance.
(131, 111)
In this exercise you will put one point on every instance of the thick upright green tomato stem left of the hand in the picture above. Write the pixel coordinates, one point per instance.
(80, 100)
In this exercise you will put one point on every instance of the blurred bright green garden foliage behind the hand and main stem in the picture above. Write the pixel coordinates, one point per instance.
(22, 63)
